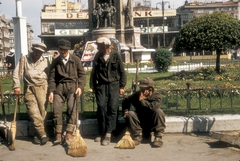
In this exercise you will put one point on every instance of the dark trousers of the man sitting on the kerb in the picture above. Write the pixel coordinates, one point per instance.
(149, 121)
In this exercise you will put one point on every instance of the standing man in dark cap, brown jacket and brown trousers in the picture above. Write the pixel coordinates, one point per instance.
(66, 82)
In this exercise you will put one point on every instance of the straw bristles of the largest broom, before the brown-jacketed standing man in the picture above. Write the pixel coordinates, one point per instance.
(78, 147)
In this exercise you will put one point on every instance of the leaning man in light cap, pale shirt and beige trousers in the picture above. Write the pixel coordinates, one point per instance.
(34, 68)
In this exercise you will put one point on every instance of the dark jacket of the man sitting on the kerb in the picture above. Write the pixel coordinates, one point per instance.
(152, 102)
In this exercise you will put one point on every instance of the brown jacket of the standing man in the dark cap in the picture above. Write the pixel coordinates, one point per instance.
(66, 74)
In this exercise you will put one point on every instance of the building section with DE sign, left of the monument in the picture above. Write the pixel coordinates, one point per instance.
(63, 20)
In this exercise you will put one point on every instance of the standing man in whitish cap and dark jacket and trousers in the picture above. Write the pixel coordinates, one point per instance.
(107, 81)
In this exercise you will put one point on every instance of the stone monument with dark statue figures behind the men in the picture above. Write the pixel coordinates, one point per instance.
(114, 19)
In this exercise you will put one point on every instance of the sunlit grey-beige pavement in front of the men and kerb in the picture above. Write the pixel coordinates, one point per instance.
(177, 146)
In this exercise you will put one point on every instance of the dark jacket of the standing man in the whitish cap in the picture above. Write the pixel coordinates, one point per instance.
(108, 72)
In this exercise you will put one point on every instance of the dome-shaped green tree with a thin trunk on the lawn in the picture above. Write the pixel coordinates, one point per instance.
(213, 32)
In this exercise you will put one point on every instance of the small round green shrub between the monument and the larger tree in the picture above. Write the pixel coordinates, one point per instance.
(162, 59)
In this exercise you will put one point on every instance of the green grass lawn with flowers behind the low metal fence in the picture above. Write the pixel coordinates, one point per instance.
(164, 82)
